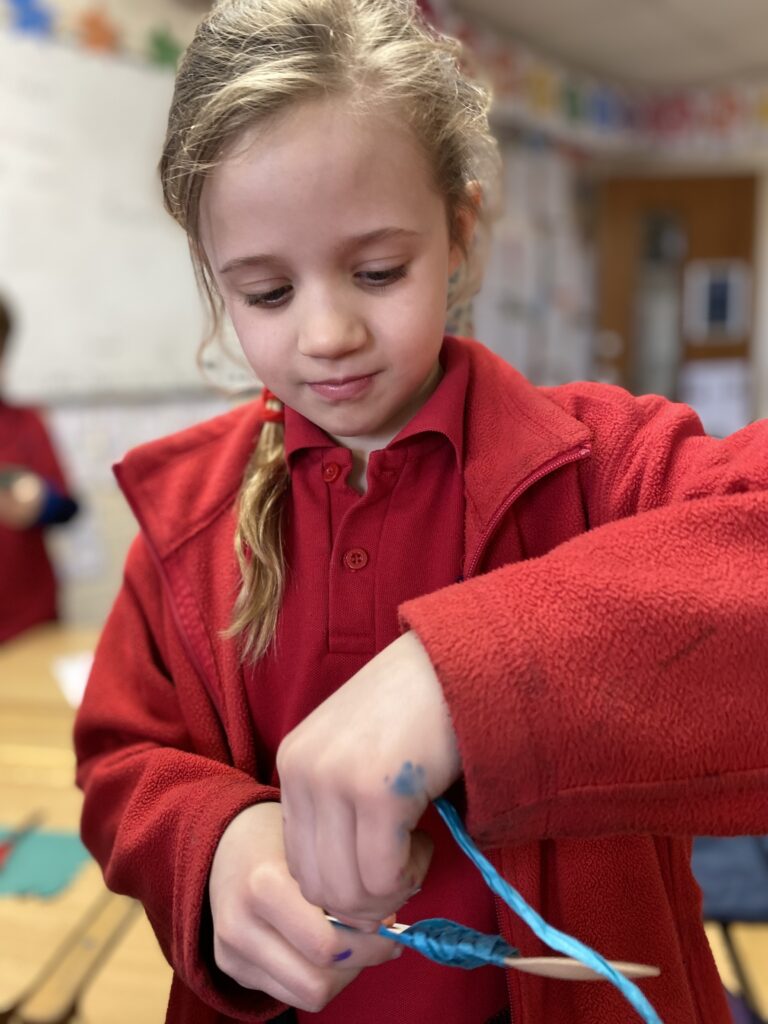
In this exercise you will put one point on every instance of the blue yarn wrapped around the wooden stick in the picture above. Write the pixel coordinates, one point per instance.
(453, 946)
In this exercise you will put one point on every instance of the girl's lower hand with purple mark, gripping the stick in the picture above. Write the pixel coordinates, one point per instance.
(267, 936)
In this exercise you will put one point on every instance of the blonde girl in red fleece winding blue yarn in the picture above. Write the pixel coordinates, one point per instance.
(406, 571)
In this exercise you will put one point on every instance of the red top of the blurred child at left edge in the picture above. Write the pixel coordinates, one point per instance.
(28, 589)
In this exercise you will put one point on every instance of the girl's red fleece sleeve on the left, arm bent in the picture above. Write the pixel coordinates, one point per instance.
(155, 808)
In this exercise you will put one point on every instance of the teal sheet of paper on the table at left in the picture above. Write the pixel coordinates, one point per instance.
(42, 865)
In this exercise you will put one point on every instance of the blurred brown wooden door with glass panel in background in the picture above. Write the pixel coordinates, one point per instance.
(654, 236)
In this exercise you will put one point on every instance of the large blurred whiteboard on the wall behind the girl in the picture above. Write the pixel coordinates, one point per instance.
(98, 273)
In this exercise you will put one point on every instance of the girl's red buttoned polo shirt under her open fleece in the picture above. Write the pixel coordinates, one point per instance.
(353, 560)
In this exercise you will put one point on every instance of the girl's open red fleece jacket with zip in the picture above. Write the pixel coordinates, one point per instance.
(606, 670)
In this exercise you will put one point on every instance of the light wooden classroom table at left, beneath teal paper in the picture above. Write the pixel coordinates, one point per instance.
(127, 982)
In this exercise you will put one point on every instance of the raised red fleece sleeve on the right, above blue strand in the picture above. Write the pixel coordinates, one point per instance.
(618, 685)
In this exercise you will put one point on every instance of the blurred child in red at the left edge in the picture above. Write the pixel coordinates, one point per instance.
(34, 495)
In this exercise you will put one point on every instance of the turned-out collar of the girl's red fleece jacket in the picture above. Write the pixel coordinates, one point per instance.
(179, 485)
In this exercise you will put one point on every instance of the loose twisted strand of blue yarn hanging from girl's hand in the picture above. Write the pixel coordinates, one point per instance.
(551, 936)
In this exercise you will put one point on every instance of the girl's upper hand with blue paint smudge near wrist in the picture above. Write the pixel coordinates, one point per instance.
(356, 778)
